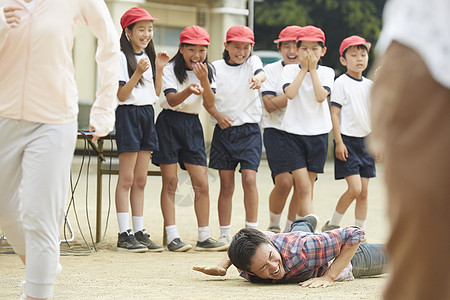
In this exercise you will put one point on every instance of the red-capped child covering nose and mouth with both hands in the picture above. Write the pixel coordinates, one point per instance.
(307, 119)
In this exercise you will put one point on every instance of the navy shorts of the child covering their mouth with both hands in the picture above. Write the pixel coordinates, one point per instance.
(307, 151)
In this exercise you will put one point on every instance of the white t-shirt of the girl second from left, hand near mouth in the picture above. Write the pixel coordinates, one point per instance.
(193, 103)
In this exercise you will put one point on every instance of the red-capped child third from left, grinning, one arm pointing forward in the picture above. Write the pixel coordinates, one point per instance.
(237, 136)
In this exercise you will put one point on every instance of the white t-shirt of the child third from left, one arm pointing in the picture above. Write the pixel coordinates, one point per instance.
(234, 98)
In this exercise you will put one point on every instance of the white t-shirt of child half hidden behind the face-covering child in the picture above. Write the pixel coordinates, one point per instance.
(273, 86)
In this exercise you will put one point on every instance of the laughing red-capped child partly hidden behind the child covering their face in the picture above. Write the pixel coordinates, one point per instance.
(274, 137)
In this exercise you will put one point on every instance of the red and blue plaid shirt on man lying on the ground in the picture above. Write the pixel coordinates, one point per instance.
(306, 255)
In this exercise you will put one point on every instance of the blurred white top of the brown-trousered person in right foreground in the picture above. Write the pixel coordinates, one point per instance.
(424, 27)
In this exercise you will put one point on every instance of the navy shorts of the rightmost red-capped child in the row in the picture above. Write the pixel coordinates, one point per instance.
(359, 161)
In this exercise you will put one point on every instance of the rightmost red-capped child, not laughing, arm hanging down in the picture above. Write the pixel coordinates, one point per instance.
(350, 114)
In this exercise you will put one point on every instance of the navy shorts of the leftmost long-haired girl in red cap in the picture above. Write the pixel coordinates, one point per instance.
(135, 129)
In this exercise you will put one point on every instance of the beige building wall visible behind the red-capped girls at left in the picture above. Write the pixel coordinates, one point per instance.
(216, 16)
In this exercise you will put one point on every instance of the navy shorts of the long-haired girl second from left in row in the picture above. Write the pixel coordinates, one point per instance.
(180, 139)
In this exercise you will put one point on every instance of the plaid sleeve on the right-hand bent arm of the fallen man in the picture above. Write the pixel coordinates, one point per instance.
(319, 249)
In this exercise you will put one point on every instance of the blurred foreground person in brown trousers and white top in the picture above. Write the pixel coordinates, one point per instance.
(411, 130)
